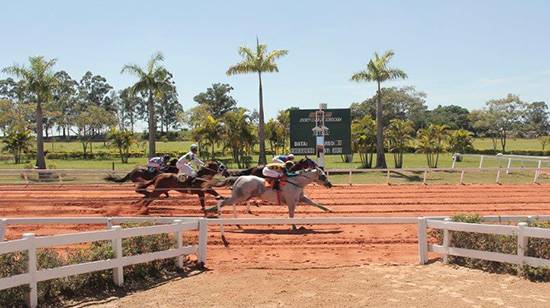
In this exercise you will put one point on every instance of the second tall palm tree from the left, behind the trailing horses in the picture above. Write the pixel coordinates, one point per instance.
(154, 79)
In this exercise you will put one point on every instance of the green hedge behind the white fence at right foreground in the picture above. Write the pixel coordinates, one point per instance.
(538, 248)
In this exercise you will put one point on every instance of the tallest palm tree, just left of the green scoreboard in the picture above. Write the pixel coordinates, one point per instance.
(259, 61)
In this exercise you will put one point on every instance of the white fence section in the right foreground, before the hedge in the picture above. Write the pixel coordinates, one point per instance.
(521, 231)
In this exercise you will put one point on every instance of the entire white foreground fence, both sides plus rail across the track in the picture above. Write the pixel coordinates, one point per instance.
(177, 226)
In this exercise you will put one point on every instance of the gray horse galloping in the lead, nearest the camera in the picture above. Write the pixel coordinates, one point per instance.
(292, 193)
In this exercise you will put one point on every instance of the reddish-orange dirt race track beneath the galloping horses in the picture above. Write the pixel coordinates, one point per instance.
(277, 246)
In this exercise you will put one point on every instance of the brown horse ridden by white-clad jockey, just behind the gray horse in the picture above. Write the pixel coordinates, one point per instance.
(192, 185)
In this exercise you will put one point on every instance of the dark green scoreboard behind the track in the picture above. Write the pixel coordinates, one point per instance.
(337, 133)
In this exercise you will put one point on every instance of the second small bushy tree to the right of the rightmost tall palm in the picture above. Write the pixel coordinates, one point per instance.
(431, 141)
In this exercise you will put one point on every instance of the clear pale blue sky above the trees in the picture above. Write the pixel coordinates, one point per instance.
(457, 52)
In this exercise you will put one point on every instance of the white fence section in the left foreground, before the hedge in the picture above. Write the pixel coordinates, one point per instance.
(30, 243)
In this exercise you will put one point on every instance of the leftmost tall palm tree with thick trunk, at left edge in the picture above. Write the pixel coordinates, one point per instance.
(38, 80)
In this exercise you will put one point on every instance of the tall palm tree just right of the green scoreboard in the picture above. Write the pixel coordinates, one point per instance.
(378, 71)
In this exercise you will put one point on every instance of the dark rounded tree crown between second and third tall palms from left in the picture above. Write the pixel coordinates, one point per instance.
(217, 99)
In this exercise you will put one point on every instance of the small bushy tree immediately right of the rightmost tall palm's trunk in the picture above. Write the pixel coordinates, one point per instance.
(398, 135)
